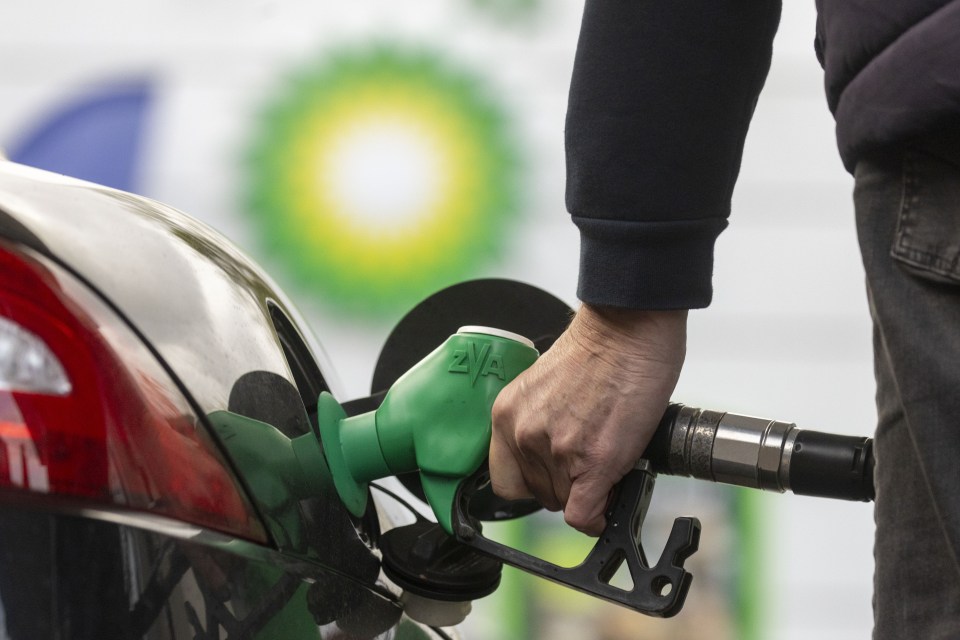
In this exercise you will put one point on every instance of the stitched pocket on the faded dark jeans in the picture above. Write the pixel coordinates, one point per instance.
(927, 241)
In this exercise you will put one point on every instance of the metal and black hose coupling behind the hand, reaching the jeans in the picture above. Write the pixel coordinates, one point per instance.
(762, 454)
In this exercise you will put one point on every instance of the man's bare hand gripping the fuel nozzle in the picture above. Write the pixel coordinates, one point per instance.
(572, 425)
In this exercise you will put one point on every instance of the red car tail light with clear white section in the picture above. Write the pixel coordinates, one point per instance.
(87, 412)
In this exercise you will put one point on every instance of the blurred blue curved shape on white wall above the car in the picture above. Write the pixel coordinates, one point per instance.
(96, 137)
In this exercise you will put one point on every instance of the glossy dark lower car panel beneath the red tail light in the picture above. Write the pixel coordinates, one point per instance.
(138, 583)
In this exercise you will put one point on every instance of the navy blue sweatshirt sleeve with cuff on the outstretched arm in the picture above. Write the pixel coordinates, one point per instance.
(660, 102)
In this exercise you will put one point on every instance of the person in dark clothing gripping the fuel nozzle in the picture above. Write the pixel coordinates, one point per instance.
(660, 101)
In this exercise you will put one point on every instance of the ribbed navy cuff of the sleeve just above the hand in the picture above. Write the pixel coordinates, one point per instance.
(647, 265)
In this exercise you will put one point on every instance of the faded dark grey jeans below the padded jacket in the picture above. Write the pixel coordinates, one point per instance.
(908, 224)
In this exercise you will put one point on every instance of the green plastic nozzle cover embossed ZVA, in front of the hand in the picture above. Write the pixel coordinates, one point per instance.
(435, 419)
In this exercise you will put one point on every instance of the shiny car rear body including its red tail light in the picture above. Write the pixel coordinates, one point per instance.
(123, 513)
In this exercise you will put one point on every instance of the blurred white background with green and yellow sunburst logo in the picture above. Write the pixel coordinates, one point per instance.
(369, 153)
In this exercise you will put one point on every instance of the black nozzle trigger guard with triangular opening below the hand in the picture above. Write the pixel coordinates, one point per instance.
(658, 591)
